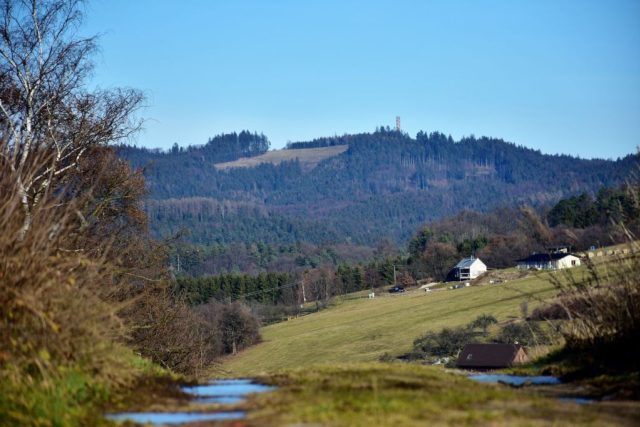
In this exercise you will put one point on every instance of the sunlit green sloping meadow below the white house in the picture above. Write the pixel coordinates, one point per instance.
(361, 330)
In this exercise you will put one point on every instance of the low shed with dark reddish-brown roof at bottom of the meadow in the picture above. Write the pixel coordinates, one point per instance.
(491, 356)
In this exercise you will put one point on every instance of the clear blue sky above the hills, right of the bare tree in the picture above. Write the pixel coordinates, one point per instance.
(559, 76)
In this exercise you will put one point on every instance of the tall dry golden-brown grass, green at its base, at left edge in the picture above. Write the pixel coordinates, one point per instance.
(61, 333)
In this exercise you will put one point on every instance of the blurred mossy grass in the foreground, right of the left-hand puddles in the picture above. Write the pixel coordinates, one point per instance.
(378, 394)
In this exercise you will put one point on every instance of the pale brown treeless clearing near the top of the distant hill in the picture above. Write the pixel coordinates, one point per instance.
(308, 157)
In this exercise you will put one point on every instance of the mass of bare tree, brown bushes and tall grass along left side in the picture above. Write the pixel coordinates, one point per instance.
(79, 277)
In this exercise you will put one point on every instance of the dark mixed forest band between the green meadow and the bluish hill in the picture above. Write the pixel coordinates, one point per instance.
(499, 237)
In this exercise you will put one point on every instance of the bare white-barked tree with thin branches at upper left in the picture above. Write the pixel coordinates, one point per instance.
(48, 118)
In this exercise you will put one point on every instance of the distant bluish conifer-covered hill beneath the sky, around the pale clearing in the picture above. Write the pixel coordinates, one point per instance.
(383, 186)
